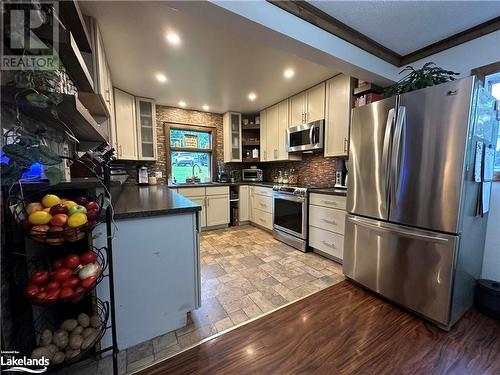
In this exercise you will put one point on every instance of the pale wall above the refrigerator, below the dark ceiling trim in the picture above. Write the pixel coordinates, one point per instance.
(466, 56)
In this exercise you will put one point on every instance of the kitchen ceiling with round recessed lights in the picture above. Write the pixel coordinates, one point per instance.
(212, 65)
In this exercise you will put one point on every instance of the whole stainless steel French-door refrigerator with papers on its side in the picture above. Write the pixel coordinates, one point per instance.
(417, 196)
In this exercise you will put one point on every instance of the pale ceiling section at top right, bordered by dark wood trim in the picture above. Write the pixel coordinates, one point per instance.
(407, 26)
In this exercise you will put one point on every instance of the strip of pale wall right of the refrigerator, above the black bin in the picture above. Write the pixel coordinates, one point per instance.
(491, 261)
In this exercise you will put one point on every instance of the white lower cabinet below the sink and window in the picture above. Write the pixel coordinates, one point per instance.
(214, 202)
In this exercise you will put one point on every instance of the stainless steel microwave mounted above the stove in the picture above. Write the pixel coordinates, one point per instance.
(305, 137)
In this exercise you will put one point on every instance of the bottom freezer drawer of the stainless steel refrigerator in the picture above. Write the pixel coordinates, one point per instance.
(411, 267)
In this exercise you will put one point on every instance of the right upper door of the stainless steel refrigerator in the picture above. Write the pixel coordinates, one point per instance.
(428, 156)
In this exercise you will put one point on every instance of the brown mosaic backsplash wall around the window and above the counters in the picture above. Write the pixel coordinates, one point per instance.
(313, 169)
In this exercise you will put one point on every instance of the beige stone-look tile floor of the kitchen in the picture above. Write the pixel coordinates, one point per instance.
(245, 273)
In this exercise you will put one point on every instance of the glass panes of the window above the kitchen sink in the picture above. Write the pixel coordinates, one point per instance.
(190, 150)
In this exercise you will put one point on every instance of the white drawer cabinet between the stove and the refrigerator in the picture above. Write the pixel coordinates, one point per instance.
(327, 224)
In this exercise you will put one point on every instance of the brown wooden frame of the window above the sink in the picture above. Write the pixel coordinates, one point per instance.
(211, 129)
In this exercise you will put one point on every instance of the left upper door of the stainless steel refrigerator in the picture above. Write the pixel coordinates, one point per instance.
(369, 151)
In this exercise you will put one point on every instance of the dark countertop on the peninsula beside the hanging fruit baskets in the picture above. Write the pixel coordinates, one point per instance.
(144, 201)
